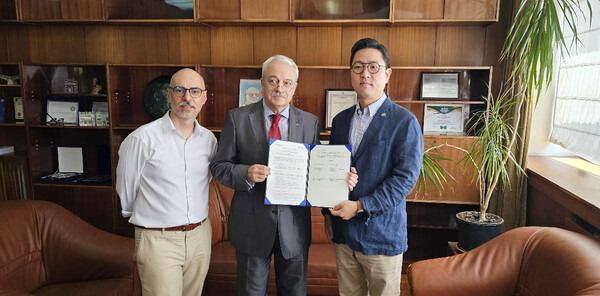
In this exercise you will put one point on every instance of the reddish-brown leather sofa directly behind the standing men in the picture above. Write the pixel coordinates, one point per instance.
(221, 278)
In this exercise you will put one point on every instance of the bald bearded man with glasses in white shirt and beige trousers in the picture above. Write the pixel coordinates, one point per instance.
(162, 180)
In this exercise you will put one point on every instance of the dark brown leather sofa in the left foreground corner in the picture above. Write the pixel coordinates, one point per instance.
(47, 250)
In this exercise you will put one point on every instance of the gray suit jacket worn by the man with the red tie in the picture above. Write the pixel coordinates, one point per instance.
(252, 224)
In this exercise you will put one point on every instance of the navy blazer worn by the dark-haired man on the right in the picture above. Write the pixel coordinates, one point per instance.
(387, 161)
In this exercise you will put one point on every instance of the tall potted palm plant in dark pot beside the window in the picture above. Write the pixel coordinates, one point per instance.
(528, 53)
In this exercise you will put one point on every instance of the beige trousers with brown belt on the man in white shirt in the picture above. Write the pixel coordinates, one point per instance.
(173, 262)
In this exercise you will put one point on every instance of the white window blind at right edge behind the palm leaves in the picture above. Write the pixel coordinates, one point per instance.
(576, 117)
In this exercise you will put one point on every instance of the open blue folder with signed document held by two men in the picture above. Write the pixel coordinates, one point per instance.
(307, 175)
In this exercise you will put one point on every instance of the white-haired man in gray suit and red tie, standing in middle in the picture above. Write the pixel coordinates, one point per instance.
(256, 230)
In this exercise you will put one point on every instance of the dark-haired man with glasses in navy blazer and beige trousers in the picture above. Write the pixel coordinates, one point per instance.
(369, 230)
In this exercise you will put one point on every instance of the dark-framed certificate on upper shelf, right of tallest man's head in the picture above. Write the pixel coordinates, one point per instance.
(439, 86)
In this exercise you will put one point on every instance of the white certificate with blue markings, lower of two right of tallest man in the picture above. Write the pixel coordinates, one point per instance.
(445, 119)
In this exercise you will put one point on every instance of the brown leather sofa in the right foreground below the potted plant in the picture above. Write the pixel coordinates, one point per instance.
(524, 261)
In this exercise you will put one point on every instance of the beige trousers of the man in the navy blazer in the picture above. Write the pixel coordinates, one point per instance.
(360, 274)
